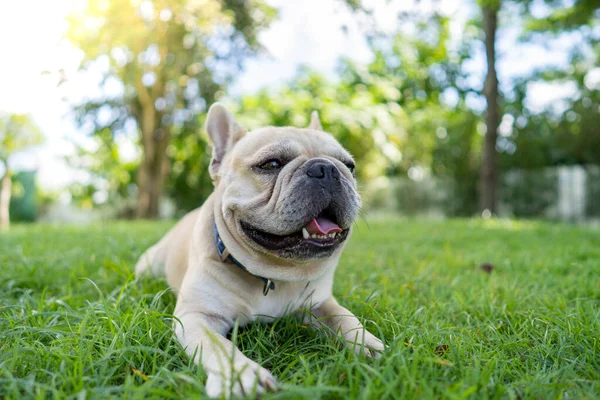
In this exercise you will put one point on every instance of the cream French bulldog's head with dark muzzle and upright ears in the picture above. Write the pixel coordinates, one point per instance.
(283, 192)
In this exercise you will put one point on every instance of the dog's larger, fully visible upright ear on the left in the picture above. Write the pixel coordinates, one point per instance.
(224, 131)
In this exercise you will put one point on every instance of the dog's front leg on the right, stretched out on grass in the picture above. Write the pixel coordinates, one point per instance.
(342, 322)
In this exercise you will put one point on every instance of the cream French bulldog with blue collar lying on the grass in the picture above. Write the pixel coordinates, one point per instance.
(265, 243)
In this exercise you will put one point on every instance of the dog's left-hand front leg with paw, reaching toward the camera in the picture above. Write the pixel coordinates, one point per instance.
(229, 372)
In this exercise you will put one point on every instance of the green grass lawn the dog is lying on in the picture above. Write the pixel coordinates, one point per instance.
(75, 324)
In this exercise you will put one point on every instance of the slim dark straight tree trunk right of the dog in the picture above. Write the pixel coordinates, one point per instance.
(488, 199)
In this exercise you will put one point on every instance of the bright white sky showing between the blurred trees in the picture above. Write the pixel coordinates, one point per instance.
(307, 33)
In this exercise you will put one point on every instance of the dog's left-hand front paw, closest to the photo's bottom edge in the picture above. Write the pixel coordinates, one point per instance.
(248, 379)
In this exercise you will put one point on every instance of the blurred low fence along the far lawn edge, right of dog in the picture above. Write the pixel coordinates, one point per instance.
(566, 193)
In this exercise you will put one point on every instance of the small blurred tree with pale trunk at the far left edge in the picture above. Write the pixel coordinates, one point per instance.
(17, 133)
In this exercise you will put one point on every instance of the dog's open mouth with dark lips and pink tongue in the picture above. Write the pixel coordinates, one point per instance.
(320, 234)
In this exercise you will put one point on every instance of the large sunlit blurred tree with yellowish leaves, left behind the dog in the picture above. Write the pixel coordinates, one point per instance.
(162, 62)
